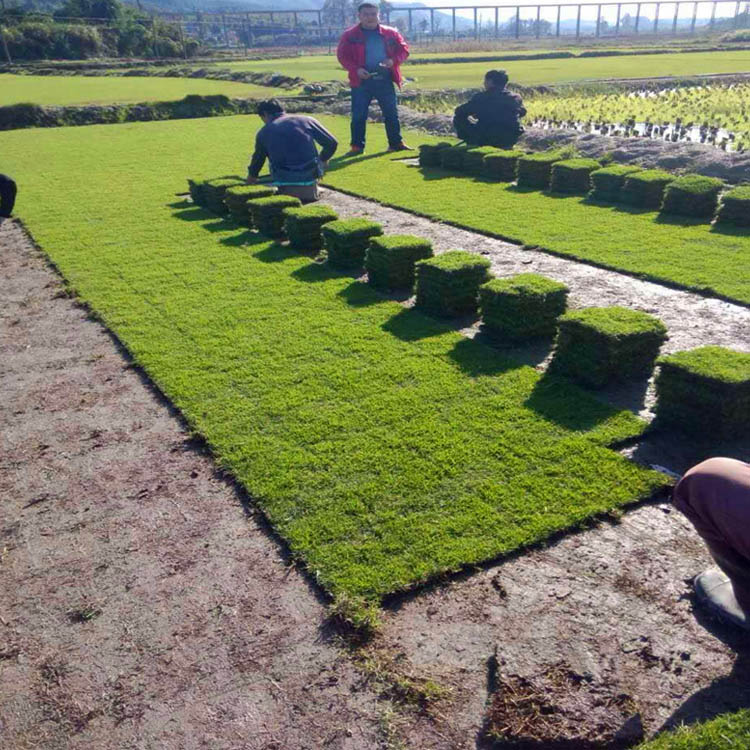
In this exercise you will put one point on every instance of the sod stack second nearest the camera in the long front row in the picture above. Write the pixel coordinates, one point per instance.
(599, 345)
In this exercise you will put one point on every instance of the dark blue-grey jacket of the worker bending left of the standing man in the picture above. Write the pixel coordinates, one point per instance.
(289, 143)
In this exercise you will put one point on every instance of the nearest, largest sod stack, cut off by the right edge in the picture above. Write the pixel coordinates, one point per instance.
(705, 392)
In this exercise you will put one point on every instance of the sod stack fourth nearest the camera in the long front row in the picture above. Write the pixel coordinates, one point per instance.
(448, 284)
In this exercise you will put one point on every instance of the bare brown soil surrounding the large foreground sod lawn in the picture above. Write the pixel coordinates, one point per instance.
(144, 604)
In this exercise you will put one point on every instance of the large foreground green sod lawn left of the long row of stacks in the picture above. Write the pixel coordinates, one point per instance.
(384, 447)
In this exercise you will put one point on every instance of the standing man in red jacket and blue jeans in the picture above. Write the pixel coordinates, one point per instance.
(372, 55)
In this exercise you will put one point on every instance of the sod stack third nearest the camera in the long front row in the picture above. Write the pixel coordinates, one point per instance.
(525, 306)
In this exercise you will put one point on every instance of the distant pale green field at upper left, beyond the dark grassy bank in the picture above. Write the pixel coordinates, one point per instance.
(79, 90)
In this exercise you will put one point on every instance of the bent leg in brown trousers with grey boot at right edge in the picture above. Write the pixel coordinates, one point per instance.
(715, 497)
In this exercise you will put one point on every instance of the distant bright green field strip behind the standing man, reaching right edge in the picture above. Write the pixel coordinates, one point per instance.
(527, 72)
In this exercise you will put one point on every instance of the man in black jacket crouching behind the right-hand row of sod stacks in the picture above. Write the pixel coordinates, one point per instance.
(492, 117)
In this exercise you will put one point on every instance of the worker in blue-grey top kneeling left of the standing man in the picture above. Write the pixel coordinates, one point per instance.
(289, 143)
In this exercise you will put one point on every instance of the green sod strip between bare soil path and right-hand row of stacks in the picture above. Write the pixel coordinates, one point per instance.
(672, 250)
